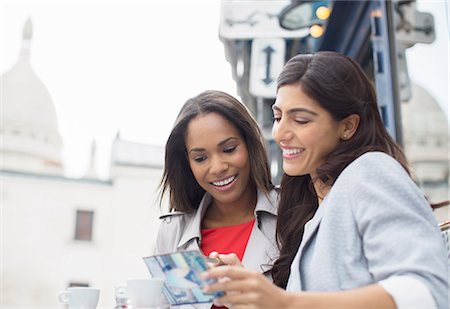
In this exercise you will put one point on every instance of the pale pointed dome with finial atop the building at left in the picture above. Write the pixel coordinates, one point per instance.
(29, 126)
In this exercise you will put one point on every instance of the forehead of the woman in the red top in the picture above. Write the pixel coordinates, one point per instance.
(206, 130)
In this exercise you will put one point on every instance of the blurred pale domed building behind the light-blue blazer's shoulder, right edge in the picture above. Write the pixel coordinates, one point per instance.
(426, 143)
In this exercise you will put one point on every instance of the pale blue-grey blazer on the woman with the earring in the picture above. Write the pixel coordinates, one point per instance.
(374, 224)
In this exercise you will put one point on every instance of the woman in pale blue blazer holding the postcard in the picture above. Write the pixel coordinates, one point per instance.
(354, 230)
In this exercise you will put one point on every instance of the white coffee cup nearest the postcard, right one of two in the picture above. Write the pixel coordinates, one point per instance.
(145, 293)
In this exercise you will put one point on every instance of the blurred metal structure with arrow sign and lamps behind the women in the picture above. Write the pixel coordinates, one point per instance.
(374, 32)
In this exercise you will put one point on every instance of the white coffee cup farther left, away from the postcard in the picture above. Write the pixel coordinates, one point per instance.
(80, 297)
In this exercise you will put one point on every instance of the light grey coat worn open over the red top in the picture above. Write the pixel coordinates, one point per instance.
(180, 231)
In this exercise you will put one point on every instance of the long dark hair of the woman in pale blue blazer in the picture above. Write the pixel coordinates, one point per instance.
(340, 86)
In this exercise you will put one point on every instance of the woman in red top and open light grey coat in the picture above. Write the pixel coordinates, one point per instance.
(217, 176)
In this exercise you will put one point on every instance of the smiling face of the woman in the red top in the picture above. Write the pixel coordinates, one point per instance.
(218, 157)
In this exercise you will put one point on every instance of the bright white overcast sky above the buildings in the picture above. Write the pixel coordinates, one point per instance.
(127, 66)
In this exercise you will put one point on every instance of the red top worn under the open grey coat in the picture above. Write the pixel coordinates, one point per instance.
(227, 239)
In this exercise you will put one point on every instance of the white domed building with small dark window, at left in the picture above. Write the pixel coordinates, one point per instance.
(59, 231)
